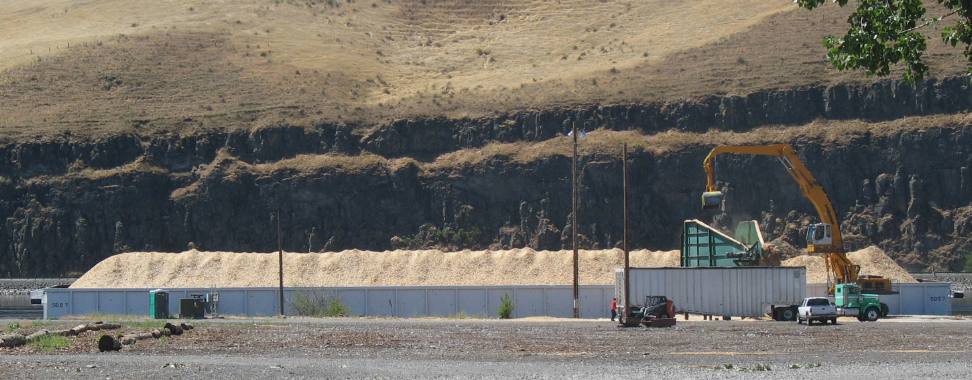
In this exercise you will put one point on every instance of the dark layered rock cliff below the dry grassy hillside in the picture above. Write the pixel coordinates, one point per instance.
(69, 202)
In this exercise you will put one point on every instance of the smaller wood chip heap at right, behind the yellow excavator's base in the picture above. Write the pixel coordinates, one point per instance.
(873, 261)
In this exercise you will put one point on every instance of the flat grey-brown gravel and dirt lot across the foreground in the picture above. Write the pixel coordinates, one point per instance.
(390, 348)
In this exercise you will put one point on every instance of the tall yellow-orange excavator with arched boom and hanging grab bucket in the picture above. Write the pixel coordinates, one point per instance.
(822, 238)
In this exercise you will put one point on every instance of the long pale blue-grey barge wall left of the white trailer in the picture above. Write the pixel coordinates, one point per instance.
(403, 301)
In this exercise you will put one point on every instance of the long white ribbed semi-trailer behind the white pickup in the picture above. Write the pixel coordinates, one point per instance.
(739, 291)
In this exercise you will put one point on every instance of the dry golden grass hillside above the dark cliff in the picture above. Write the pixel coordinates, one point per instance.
(105, 66)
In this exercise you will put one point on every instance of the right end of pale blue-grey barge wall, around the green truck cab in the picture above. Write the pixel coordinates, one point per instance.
(922, 298)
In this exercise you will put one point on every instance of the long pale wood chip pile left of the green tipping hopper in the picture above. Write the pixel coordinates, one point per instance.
(363, 268)
